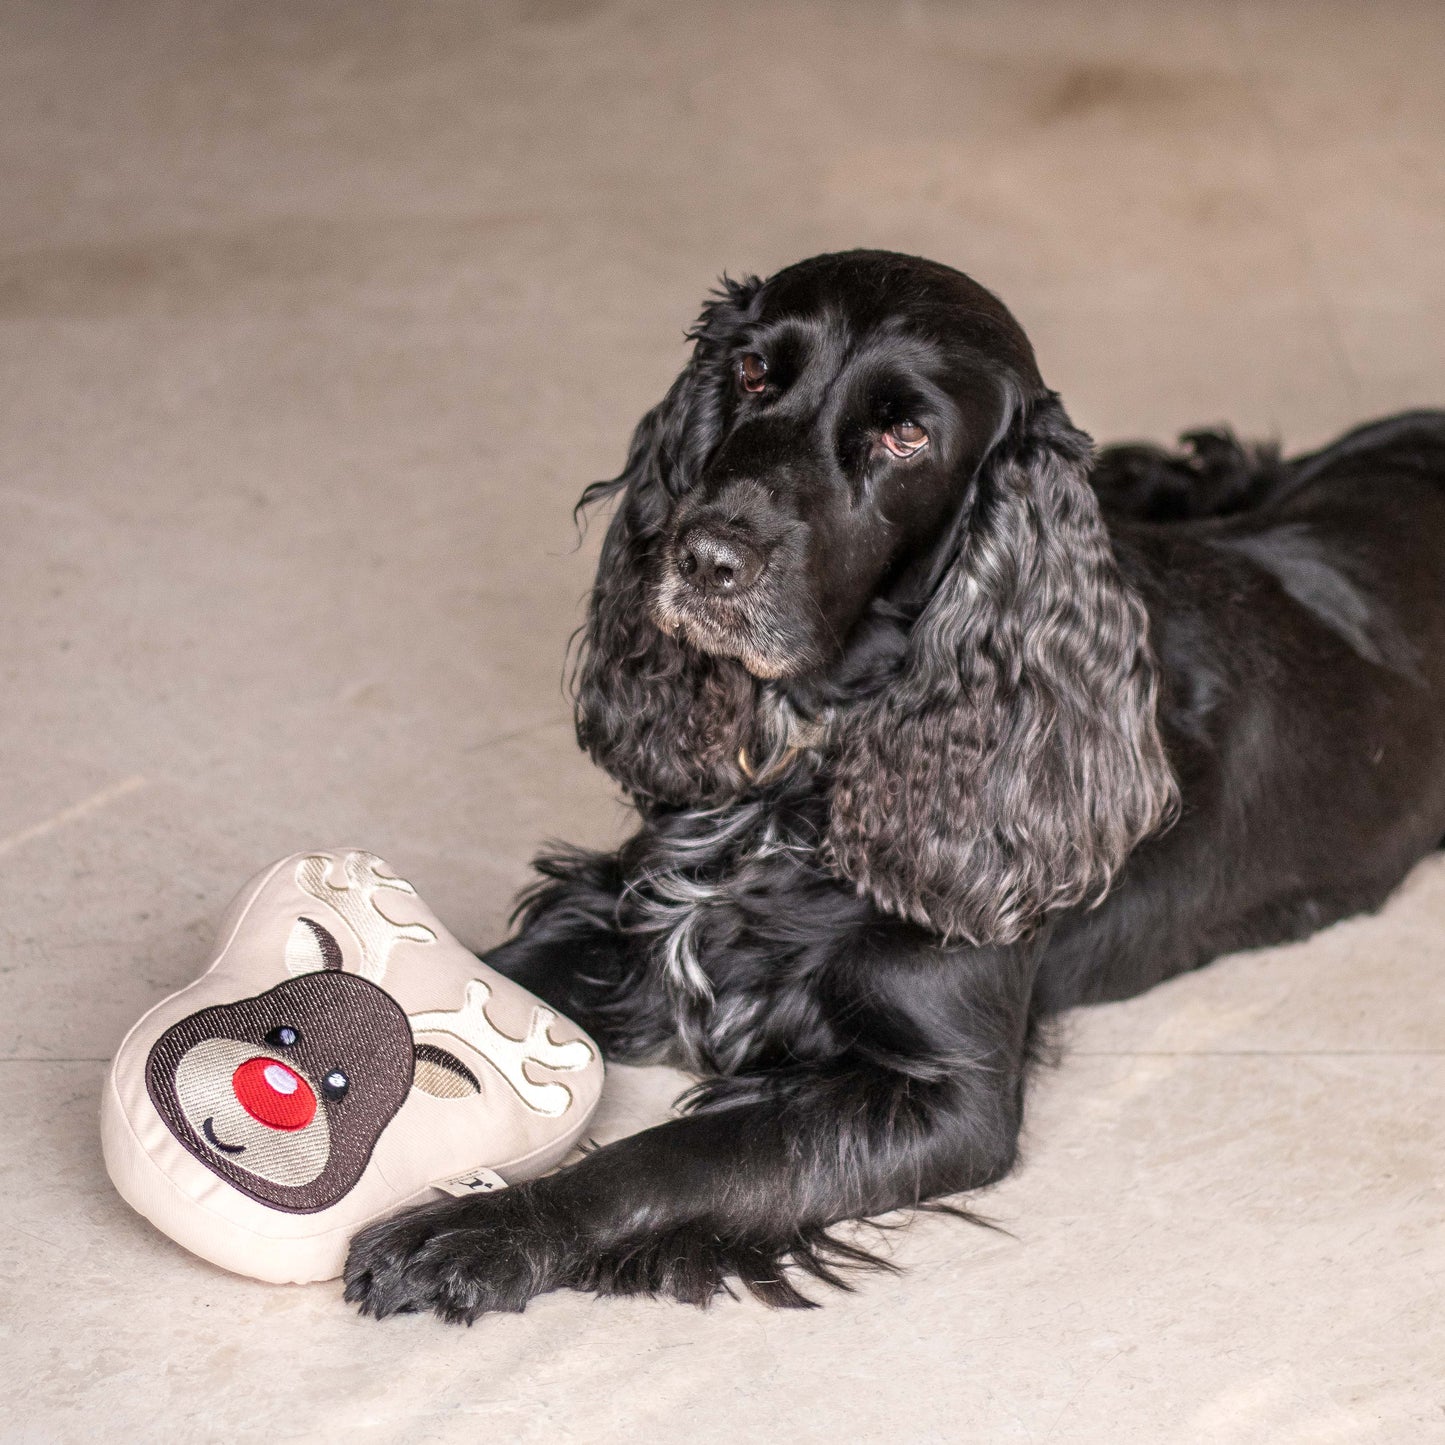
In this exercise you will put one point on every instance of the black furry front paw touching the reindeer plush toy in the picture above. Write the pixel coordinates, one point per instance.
(460, 1259)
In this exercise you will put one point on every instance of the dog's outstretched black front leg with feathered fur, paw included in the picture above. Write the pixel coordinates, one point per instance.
(926, 1103)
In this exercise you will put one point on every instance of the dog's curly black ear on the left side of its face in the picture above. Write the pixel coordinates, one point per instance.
(667, 722)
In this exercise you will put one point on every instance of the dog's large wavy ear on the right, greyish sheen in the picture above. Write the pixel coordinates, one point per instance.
(1017, 761)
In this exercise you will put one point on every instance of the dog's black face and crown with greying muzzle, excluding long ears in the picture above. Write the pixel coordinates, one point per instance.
(842, 414)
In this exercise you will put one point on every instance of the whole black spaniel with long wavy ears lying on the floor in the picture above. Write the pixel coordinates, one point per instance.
(939, 723)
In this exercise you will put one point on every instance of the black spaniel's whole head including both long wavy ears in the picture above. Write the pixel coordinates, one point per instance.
(860, 501)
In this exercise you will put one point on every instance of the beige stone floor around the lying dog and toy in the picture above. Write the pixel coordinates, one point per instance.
(314, 319)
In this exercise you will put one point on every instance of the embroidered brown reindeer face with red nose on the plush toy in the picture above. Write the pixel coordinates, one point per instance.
(285, 1095)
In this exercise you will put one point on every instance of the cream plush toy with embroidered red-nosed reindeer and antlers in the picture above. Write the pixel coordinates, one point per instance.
(343, 1057)
